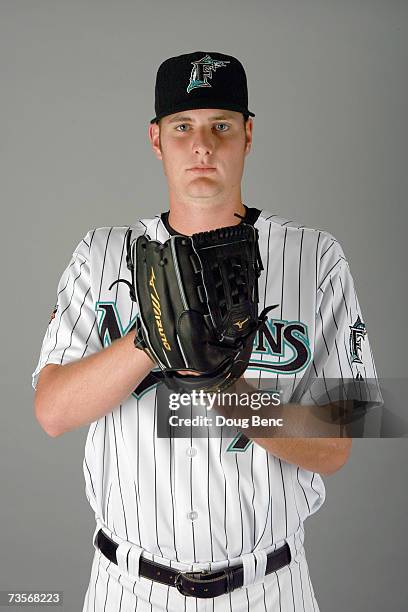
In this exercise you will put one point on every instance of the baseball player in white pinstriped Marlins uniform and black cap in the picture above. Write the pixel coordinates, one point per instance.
(199, 523)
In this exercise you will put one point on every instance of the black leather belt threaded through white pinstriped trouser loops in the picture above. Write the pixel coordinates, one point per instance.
(203, 583)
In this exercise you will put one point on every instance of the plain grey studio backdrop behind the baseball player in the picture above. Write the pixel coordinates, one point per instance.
(328, 85)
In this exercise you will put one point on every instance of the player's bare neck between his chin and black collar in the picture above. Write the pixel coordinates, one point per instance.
(189, 220)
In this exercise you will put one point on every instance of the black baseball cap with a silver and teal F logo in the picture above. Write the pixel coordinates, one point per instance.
(202, 79)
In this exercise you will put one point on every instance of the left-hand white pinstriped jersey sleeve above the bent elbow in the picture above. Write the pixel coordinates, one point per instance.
(72, 331)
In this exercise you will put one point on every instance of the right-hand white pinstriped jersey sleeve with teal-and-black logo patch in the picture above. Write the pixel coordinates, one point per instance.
(343, 365)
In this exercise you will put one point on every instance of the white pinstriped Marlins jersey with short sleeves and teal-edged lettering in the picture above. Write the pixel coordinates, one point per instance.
(198, 500)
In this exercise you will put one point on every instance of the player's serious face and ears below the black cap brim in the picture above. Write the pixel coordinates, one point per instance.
(215, 140)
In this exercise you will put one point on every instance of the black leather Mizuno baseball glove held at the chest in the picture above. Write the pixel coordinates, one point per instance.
(197, 302)
